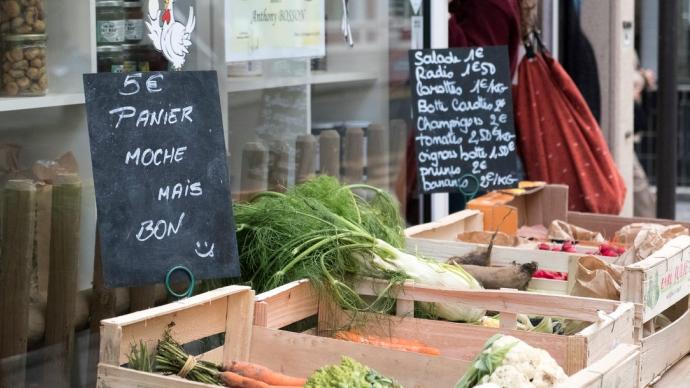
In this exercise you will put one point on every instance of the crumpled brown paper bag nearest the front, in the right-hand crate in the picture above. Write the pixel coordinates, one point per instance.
(596, 278)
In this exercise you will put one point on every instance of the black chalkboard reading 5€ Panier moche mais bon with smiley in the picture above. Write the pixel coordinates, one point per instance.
(161, 176)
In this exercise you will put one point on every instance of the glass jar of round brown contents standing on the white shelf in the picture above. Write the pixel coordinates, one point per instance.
(24, 65)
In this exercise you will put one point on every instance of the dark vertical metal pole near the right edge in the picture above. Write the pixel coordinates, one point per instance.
(667, 124)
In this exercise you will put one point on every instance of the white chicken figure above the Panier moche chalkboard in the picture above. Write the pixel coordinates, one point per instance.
(169, 36)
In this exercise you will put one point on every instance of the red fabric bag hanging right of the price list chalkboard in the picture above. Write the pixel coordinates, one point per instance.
(560, 140)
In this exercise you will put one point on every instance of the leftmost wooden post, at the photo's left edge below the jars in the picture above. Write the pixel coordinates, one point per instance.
(17, 251)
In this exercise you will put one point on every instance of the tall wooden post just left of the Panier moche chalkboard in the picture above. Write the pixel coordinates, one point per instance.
(62, 284)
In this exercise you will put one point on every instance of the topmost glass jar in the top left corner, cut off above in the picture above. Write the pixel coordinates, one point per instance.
(22, 17)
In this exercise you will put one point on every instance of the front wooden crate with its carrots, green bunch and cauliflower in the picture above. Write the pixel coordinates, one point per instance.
(151, 348)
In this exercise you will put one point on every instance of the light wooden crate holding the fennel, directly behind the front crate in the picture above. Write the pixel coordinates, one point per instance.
(297, 301)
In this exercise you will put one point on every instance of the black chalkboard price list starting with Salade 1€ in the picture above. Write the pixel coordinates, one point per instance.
(463, 110)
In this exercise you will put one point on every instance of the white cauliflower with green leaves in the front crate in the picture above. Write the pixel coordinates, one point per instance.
(510, 363)
